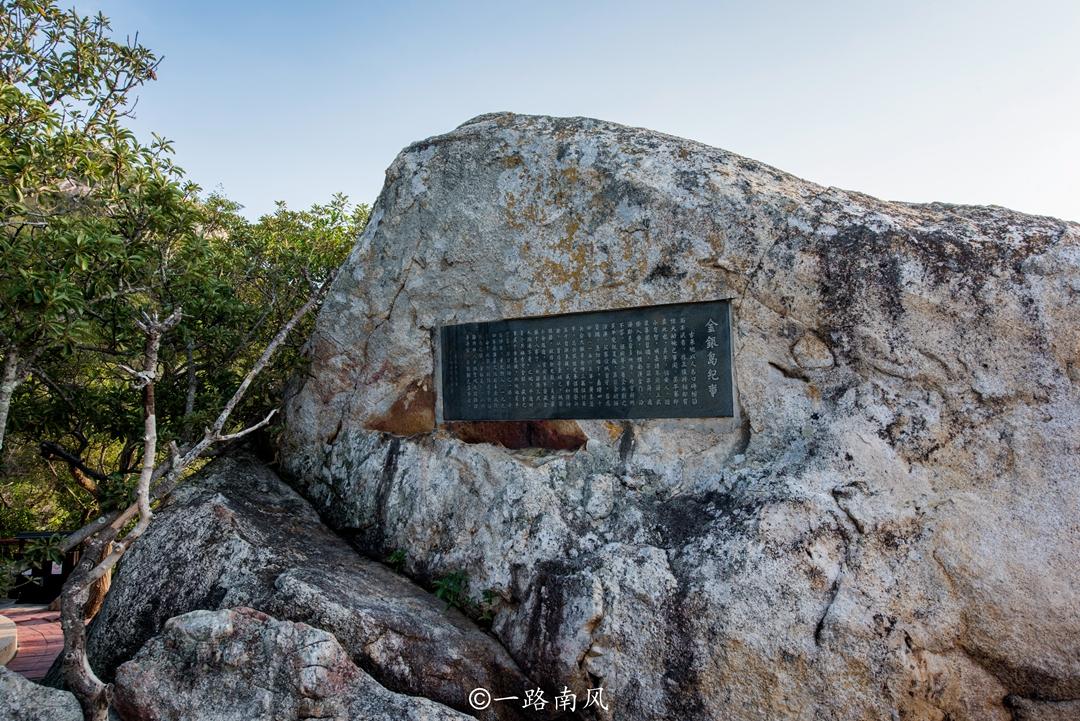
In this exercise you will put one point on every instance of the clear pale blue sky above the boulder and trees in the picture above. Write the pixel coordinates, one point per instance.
(958, 101)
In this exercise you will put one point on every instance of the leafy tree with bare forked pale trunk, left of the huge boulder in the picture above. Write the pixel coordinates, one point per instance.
(250, 285)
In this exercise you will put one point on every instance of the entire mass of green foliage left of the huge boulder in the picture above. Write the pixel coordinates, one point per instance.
(100, 228)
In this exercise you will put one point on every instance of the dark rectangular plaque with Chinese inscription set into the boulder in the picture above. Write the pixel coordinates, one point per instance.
(653, 362)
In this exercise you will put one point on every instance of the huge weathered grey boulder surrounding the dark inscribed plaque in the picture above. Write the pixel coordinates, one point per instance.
(889, 532)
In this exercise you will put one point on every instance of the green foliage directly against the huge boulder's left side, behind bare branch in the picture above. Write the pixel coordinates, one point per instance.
(242, 282)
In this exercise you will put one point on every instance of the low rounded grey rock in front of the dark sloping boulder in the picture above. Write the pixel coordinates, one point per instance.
(237, 665)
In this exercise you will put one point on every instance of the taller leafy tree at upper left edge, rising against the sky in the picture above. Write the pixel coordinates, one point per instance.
(65, 162)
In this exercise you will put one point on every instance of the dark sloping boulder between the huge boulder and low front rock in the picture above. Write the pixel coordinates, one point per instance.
(237, 536)
